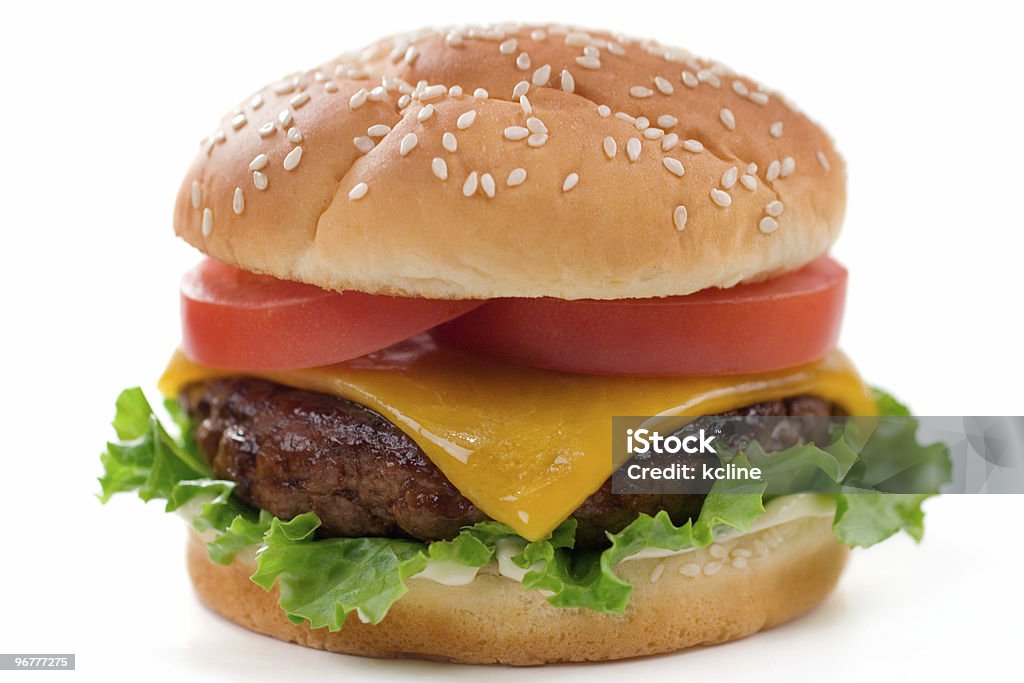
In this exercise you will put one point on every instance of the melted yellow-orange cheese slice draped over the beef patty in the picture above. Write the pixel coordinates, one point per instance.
(529, 446)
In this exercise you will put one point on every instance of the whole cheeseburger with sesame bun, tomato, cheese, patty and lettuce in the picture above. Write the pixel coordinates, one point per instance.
(436, 270)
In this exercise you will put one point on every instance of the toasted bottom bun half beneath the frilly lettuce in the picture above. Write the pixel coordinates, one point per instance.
(713, 595)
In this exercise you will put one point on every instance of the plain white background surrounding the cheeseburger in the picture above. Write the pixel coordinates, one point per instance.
(102, 111)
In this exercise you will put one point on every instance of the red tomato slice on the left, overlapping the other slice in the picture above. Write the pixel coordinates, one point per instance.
(236, 320)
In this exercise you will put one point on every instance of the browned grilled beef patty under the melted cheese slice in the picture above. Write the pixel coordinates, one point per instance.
(292, 451)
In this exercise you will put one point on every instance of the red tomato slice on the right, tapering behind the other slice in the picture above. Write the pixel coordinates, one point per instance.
(782, 323)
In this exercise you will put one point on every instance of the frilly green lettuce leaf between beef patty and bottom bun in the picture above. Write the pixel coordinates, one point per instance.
(323, 581)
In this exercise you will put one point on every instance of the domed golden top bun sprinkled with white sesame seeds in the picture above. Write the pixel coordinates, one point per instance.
(516, 161)
